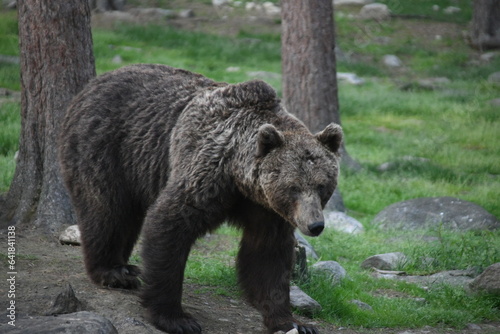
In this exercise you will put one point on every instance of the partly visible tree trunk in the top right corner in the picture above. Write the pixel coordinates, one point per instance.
(485, 29)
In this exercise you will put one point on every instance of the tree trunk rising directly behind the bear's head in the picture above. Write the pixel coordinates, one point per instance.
(308, 65)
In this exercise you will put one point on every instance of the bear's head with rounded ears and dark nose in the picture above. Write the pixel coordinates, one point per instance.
(298, 173)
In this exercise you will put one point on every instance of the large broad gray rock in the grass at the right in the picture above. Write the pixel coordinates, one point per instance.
(448, 212)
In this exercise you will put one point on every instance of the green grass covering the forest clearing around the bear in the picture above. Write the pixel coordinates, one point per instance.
(453, 127)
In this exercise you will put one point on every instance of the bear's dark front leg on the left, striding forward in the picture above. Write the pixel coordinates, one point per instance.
(169, 232)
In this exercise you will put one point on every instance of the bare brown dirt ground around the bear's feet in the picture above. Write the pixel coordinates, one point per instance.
(44, 267)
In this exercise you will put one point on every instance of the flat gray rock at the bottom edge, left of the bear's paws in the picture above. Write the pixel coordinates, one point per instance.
(75, 323)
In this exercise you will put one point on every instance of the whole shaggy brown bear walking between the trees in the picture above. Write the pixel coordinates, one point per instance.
(176, 154)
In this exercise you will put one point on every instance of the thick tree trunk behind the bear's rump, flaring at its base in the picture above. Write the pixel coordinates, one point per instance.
(56, 62)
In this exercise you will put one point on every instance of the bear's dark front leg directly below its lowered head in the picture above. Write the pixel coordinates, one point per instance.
(265, 262)
